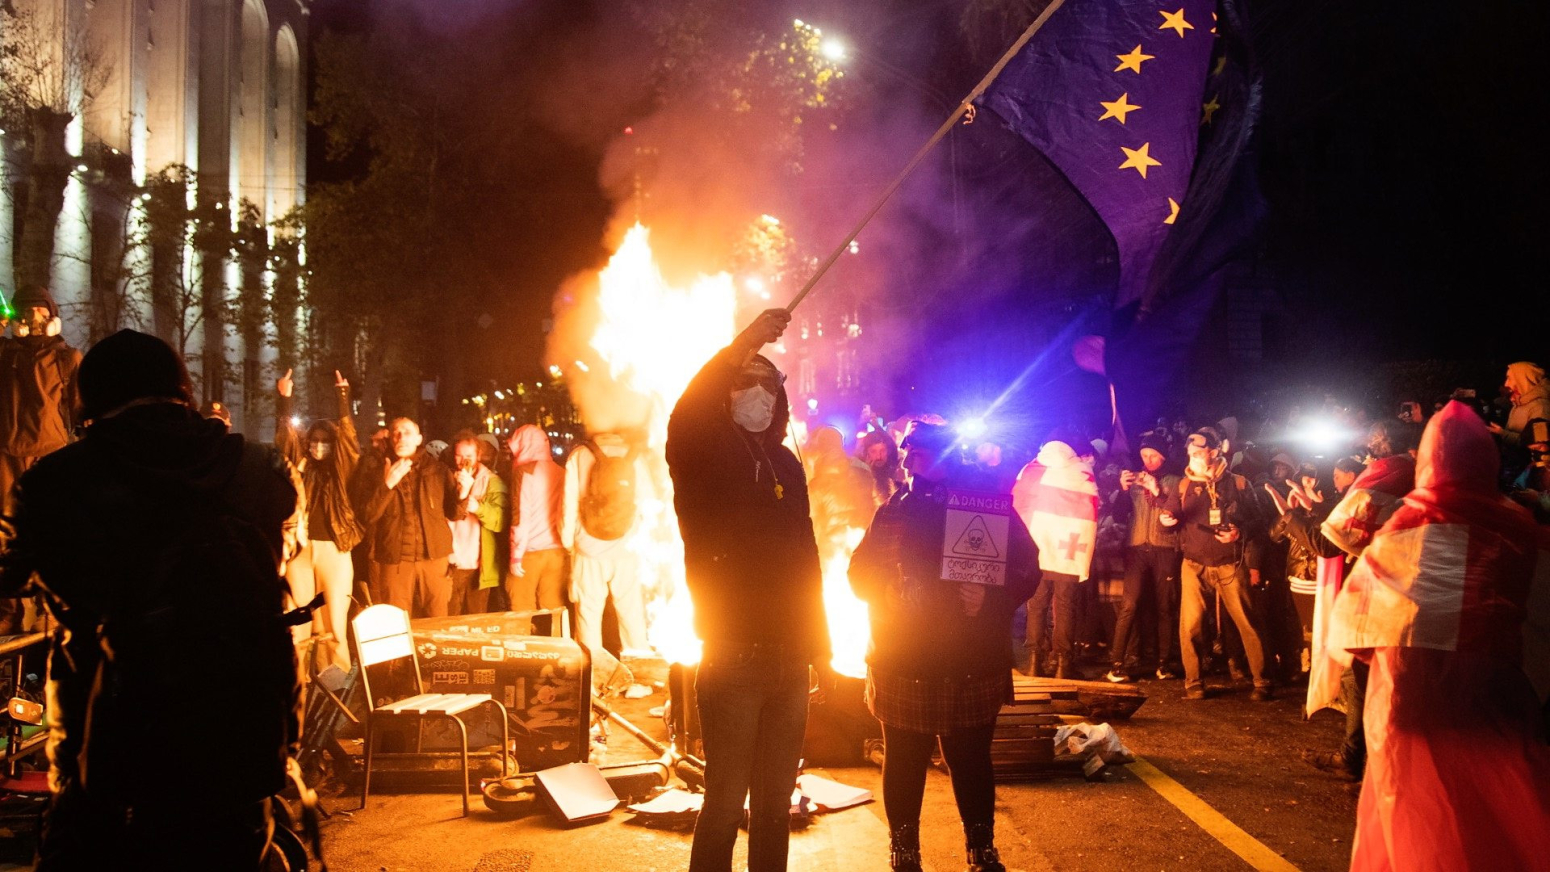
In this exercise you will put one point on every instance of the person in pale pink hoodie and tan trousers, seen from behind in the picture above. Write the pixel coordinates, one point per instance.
(539, 558)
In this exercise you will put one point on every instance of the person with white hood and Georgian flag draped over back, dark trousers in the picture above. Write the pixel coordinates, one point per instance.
(1056, 496)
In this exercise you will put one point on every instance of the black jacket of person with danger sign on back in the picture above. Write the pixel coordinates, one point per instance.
(920, 627)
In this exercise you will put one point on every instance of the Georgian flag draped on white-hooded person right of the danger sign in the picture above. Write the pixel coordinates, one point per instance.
(1056, 496)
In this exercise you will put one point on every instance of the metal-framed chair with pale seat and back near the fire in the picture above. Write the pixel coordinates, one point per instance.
(382, 636)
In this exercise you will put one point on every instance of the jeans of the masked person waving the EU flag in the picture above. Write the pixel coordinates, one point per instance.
(753, 716)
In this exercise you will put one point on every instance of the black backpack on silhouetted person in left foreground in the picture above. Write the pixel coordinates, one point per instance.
(196, 668)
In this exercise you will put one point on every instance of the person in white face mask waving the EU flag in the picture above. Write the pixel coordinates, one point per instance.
(753, 571)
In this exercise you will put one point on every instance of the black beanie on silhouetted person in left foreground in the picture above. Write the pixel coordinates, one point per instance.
(131, 366)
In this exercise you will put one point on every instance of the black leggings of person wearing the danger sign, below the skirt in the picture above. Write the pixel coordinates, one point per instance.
(908, 757)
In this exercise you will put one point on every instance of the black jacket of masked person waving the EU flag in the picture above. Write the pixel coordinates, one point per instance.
(742, 500)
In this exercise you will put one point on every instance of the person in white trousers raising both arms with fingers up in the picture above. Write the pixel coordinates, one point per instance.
(326, 462)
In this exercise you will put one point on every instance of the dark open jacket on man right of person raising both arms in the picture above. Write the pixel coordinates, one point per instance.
(427, 496)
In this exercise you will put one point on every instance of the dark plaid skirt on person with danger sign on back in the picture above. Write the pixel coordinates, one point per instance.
(937, 707)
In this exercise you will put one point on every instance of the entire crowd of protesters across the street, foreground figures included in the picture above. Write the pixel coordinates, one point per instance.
(1391, 574)
